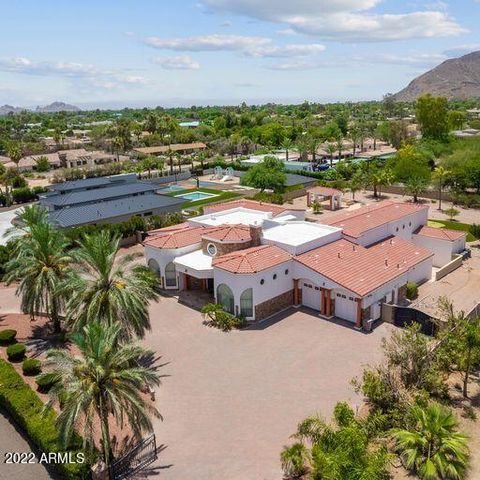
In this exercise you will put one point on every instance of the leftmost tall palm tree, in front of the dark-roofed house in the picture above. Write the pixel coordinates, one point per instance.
(41, 265)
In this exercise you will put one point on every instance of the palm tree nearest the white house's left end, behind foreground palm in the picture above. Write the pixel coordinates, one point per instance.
(108, 289)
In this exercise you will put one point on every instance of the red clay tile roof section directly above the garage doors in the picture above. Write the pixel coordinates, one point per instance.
(362, 270)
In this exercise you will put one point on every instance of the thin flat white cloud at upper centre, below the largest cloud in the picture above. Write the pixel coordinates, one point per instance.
(215, 42)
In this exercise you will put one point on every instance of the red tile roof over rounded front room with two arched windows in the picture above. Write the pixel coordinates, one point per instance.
(252, 260)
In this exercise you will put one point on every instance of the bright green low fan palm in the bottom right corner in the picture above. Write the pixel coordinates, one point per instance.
(433, 448)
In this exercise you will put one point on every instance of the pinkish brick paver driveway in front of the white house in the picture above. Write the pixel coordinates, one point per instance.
(233, 399)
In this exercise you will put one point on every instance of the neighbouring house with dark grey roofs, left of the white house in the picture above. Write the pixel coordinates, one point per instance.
(113, 199)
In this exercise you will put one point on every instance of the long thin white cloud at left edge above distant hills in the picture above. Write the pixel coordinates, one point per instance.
(78, 72)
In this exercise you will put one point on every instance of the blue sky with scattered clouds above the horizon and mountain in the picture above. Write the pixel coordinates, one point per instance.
(183, 52)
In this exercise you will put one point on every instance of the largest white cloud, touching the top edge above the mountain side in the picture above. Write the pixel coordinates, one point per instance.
(344, 20)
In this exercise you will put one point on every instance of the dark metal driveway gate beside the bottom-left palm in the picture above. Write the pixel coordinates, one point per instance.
(140, 456)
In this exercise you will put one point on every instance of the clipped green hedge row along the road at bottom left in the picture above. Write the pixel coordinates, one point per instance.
(25, 408)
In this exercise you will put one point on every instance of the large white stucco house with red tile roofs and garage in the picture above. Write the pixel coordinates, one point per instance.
(257, 259)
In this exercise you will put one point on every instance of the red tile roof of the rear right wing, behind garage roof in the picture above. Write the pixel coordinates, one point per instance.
(356, 222)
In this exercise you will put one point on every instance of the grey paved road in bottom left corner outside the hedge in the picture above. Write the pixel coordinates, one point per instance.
(12, 441)
